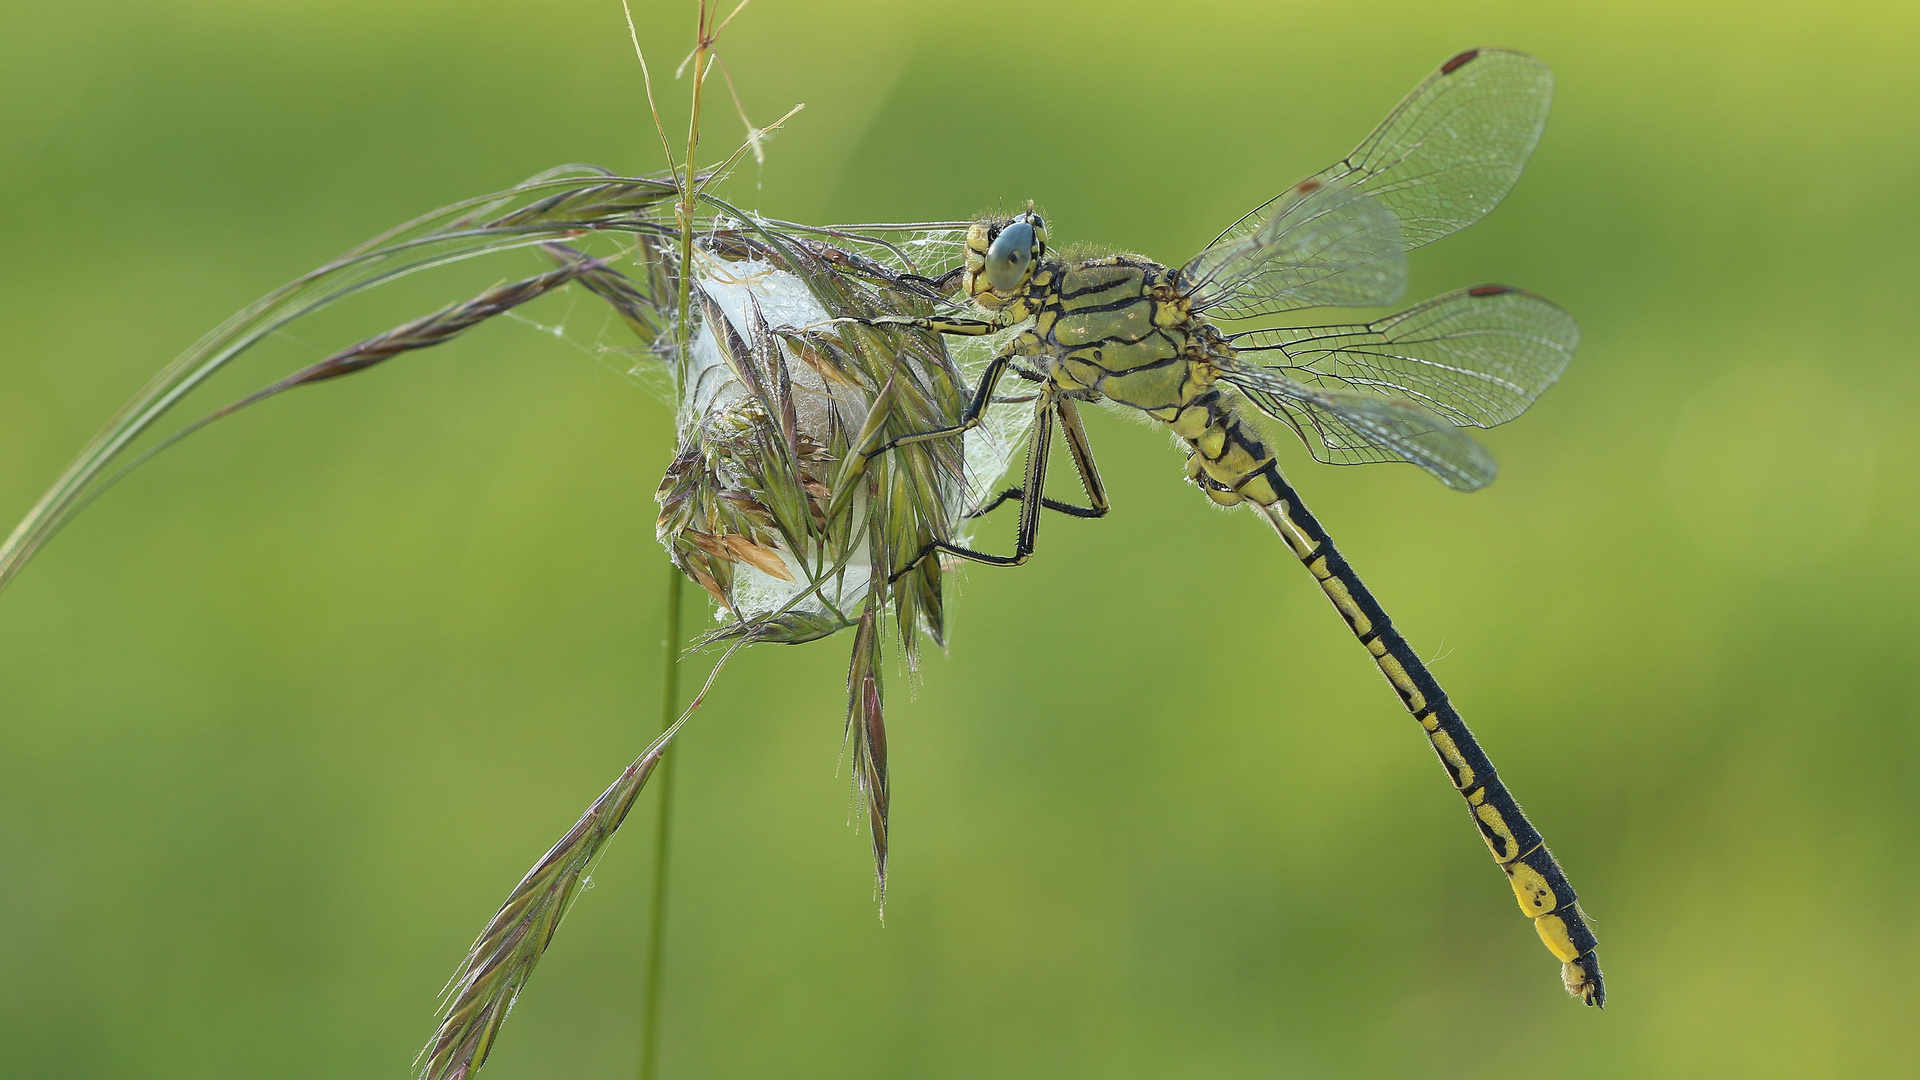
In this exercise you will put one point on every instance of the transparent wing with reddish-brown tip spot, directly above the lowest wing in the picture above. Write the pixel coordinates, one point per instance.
(1476, 358)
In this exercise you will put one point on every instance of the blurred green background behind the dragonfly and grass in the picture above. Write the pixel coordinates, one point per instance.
(283, 718)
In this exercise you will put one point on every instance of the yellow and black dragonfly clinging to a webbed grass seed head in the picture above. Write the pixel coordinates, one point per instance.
(1138, 335)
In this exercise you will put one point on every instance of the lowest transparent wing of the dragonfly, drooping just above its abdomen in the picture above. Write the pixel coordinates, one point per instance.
(1353, 428)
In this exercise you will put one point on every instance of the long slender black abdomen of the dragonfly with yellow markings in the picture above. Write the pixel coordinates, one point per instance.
(1518, 847)
